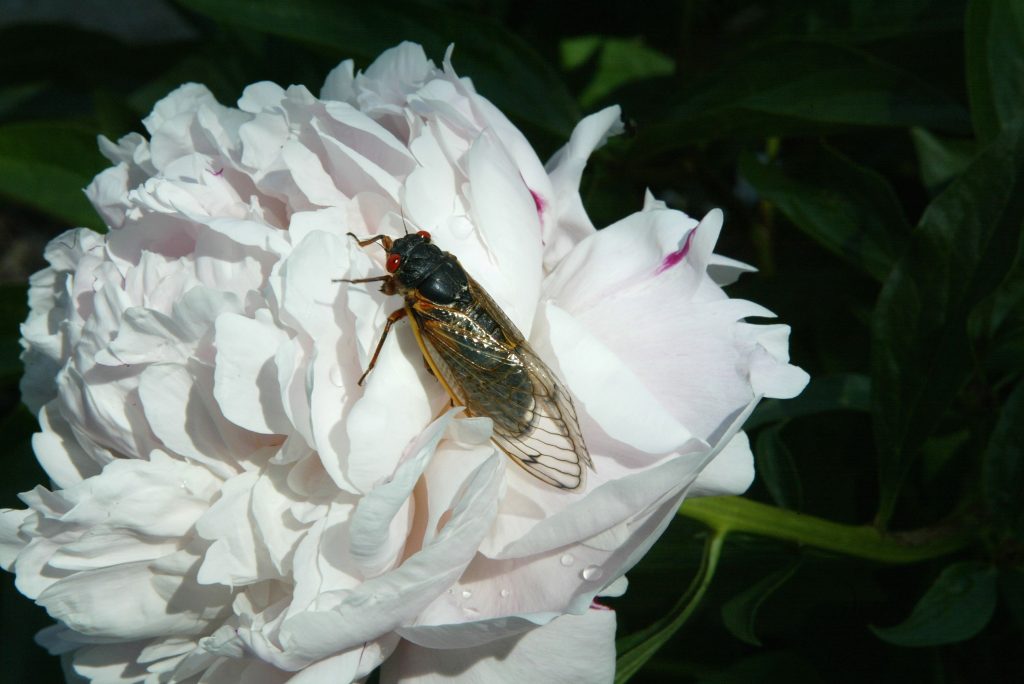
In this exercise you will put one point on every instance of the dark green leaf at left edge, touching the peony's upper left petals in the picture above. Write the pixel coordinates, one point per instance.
(47, 166)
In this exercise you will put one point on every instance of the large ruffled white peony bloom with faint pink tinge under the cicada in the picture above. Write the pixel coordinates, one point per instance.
(227, 504)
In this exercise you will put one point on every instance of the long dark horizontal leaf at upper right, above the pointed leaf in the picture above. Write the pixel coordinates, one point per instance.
(796, 89)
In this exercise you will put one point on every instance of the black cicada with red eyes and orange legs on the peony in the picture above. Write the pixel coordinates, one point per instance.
(482, 360)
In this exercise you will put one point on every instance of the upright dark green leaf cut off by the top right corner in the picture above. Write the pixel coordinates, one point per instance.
(995, 65)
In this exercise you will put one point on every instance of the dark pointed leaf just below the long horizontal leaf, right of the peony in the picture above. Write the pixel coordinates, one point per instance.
(848, 209)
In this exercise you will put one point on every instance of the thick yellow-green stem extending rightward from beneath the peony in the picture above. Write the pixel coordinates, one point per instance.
(735, 515)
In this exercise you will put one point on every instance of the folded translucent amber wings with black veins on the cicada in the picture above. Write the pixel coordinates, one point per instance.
(494, 373)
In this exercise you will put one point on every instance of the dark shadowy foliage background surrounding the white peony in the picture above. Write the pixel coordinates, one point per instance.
(869, 158)
